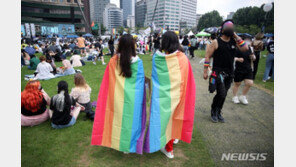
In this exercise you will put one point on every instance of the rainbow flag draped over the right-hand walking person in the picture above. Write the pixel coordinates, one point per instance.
(172, 101)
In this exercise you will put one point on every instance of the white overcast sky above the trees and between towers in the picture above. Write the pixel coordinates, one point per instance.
(222, 6)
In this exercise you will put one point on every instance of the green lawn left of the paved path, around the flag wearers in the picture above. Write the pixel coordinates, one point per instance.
(44, 146)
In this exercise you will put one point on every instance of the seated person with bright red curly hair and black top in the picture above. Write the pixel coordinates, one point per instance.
(33, 104)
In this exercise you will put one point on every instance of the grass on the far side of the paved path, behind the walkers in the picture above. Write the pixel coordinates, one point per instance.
(269, 85)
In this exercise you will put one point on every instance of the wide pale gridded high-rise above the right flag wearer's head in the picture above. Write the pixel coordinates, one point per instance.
(169, 13)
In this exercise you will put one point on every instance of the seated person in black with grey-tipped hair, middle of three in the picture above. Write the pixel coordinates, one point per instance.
(61, 114)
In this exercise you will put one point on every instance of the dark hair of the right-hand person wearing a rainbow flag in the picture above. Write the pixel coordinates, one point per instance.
(170, 42)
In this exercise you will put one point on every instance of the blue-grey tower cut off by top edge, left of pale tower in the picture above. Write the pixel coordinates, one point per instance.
(97, 8)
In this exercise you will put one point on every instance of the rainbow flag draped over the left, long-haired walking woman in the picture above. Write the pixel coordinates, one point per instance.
(120, 116)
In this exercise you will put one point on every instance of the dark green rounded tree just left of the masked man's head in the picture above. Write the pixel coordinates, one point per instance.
(210, 19)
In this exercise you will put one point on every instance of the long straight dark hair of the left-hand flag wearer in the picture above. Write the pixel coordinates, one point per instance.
(126, 49)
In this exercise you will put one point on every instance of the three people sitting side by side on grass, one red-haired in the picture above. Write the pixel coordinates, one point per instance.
(64, 108)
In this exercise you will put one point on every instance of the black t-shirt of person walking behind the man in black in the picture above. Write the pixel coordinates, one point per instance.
(245, 66)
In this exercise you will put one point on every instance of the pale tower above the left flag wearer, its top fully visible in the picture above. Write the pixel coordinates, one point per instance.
(112, 17)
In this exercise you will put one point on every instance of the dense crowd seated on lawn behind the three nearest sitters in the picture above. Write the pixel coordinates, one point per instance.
(72, 53)
